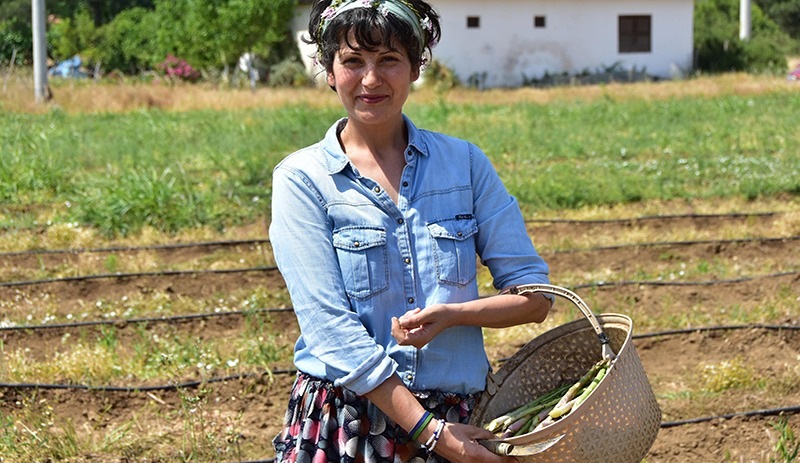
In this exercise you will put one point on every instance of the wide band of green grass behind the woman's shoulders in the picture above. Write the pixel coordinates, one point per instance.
(121, 172)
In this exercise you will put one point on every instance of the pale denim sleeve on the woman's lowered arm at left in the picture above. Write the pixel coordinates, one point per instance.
(331, 333)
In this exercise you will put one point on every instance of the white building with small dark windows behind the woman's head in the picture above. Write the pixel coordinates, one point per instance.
(504, 43)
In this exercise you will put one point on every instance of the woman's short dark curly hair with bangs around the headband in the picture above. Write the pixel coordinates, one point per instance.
(372, 29)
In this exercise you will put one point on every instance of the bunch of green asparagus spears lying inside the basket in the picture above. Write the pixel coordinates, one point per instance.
(549, 407)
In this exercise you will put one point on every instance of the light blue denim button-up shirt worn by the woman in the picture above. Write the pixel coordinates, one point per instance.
(352, 259)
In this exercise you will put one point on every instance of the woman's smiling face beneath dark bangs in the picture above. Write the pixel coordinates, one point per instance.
(372, 85)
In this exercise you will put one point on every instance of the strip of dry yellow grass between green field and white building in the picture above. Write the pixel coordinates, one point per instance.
(91, 97)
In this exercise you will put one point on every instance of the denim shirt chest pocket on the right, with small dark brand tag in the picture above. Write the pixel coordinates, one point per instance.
(454, 250)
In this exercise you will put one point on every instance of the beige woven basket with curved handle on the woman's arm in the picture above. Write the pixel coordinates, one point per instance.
(617, 423)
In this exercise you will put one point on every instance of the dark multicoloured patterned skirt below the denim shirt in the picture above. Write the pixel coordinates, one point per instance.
(328, 424)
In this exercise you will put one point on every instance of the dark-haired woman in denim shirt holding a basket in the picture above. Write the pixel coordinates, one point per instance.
(376, 230)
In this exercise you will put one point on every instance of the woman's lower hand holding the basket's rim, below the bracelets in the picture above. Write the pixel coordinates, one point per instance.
(459, 444)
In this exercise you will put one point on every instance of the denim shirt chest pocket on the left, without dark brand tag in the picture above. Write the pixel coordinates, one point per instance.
(363, 258)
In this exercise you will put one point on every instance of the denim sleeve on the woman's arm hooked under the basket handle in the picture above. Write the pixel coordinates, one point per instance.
(503, 243)
